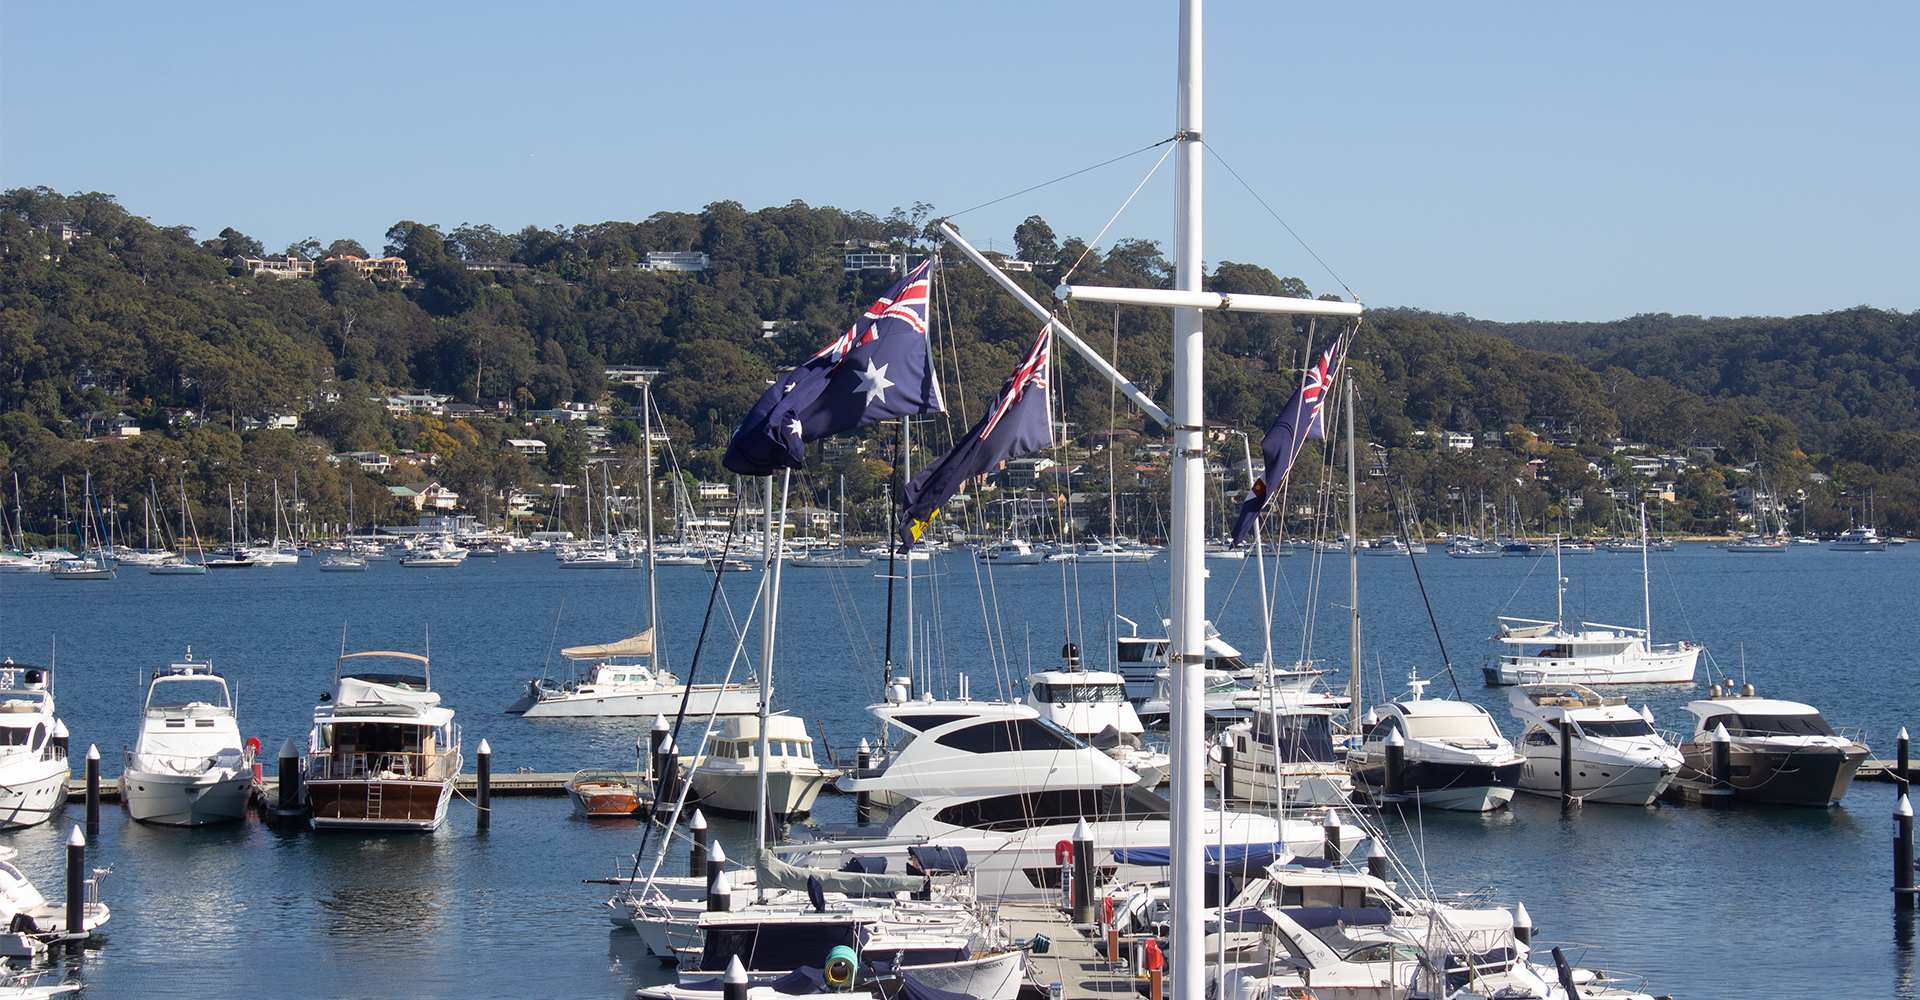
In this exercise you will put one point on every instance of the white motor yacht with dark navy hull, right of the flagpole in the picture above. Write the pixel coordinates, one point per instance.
(1454, 755)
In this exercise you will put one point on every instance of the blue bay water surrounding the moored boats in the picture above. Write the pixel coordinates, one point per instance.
(1702, 903)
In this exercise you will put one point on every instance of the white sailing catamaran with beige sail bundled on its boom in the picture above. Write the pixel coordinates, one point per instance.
(627, 682)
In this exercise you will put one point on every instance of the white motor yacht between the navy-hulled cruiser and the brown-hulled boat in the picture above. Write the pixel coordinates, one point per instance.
(1618, 757)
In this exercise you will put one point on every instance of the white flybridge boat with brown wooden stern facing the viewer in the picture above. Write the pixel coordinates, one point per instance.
(383, 753)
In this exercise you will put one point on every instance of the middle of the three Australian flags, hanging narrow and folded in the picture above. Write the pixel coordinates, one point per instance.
(1017, 425)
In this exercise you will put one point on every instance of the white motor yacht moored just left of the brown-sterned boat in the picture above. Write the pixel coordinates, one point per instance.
(189, 765)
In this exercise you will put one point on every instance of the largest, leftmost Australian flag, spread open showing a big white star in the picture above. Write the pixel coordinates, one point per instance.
(876, 371)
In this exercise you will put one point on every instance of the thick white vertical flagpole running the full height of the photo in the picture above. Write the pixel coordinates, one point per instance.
(1188, 590)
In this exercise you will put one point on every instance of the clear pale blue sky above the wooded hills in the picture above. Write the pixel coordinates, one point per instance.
(1502, 160)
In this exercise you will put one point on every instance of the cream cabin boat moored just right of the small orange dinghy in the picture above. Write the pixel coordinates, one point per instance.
(729, 774)
